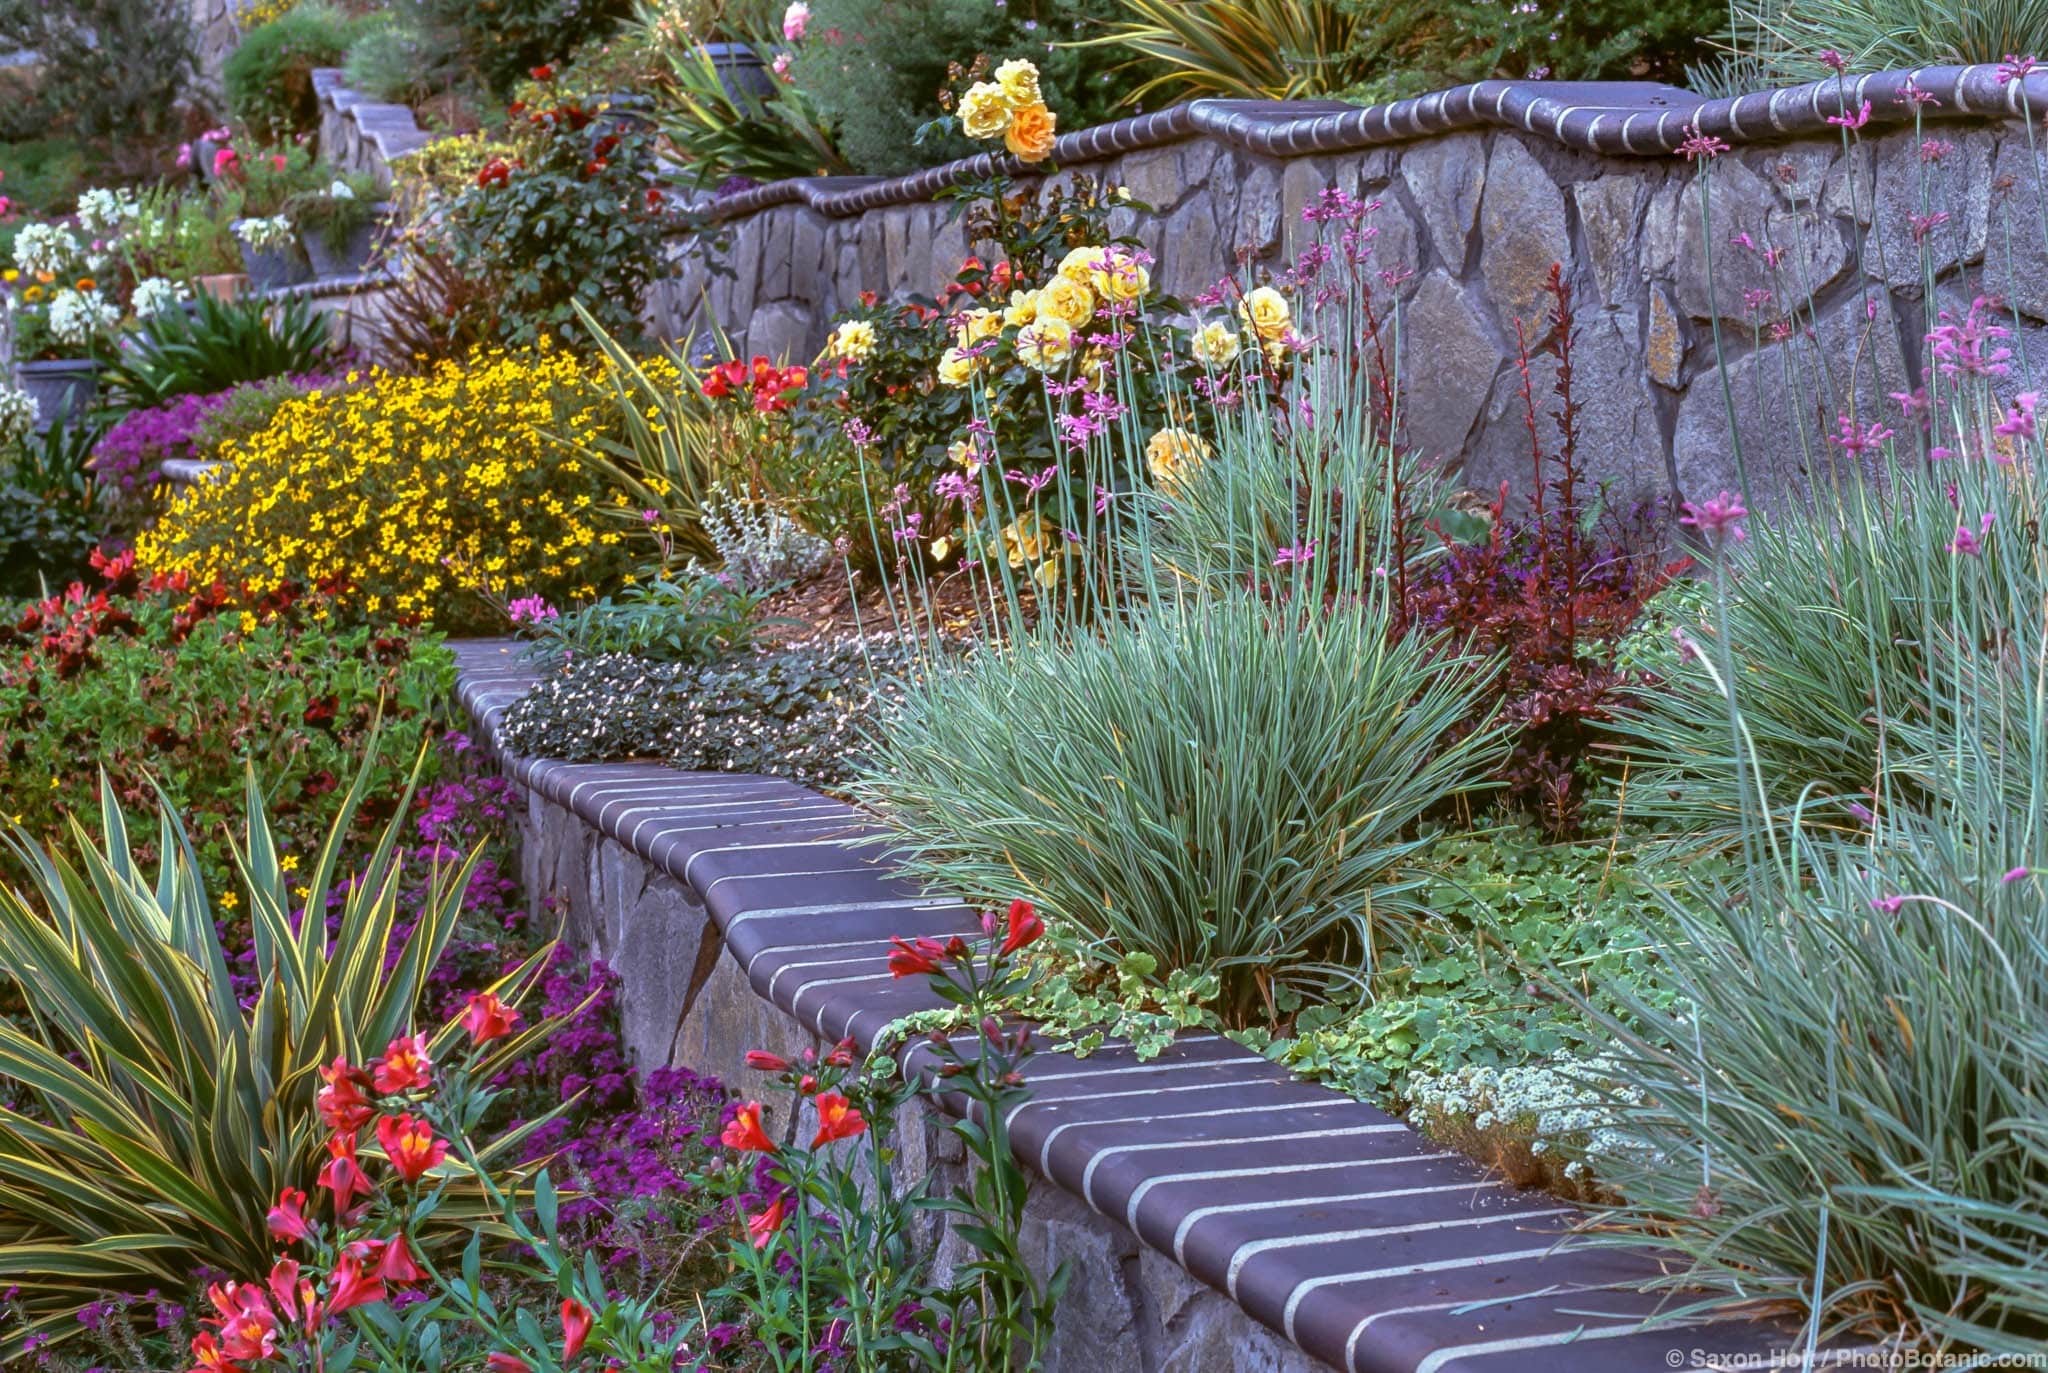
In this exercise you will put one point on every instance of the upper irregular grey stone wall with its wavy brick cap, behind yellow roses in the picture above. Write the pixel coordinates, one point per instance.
(1484, 190)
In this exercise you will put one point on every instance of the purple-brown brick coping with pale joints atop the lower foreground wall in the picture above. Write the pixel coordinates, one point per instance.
(1324, 1218)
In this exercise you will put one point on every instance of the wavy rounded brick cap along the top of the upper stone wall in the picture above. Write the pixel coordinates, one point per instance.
(1605, 118)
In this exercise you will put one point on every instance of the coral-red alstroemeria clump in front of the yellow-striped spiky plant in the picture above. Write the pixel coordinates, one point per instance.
(366, 1276)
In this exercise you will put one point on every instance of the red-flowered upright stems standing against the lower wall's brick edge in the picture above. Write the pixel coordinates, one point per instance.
(828, 1261)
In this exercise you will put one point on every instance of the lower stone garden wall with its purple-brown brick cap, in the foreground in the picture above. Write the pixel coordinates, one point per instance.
(1220, 1216)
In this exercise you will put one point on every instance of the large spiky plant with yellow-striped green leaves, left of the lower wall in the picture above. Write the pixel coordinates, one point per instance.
(159, 1116)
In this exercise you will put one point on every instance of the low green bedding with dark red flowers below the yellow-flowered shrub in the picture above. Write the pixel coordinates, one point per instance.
(167, 683)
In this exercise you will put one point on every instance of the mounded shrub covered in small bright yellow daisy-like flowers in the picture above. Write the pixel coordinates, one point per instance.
(417, 495)
